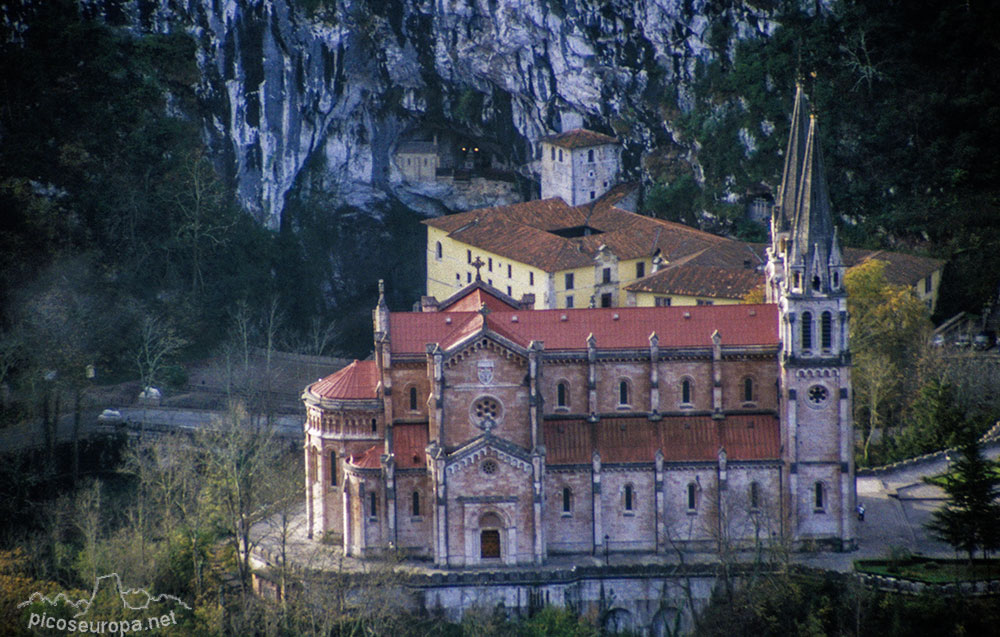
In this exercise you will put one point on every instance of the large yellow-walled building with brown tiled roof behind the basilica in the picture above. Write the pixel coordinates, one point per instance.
(582, 256)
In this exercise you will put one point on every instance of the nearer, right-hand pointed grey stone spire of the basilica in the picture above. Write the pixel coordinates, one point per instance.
(812, 218)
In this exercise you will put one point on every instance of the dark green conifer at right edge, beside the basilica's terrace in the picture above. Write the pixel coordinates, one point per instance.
(971, 519)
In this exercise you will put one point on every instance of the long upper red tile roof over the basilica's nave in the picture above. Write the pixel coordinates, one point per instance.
(613, 328)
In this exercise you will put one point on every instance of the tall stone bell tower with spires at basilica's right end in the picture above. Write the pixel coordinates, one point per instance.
(805, 277)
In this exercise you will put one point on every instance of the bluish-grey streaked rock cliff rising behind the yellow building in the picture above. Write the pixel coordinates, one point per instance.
(337, 85)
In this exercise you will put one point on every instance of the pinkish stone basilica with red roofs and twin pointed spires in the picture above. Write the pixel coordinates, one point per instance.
(488, 432)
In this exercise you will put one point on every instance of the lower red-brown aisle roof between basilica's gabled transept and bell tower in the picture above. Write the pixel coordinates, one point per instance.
(681, 438)
